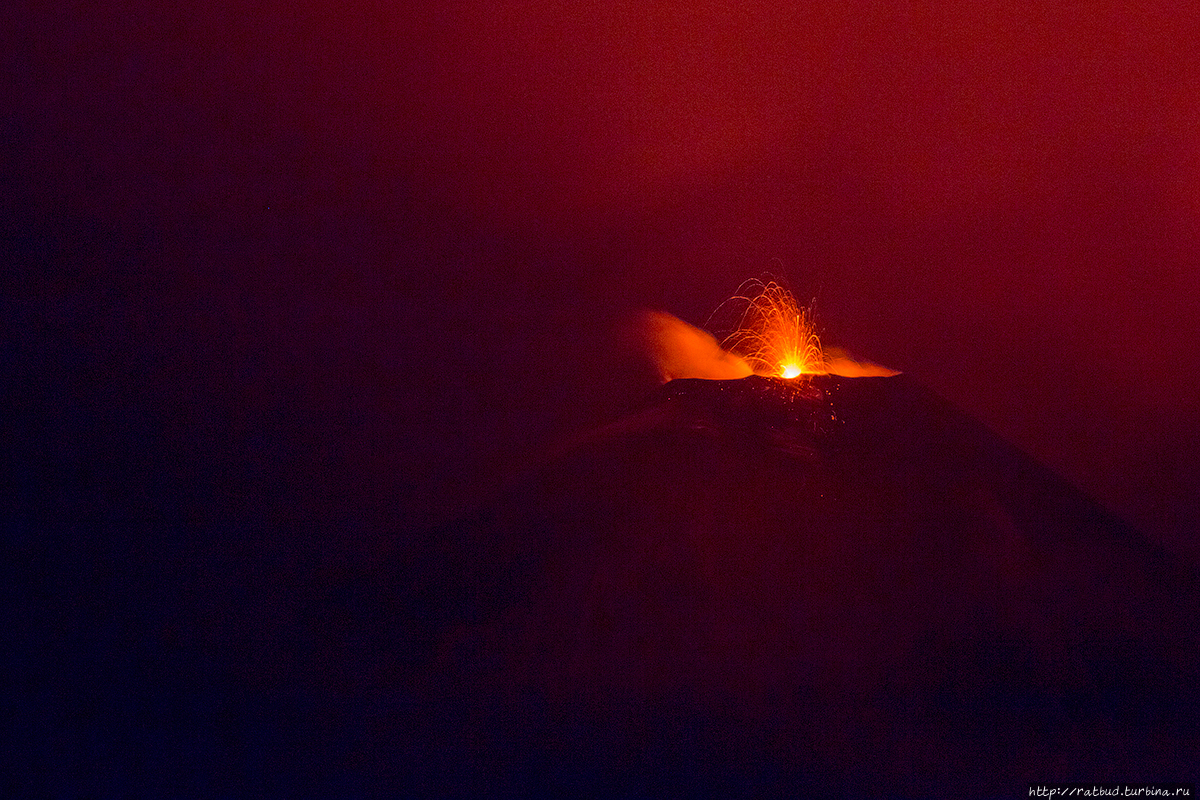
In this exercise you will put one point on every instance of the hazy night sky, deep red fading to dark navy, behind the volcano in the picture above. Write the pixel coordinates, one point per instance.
(311, 278)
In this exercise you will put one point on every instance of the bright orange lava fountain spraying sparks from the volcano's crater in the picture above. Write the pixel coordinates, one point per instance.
(775, 335)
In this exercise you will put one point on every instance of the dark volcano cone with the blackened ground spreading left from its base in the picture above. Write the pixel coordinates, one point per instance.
(818, 588)
